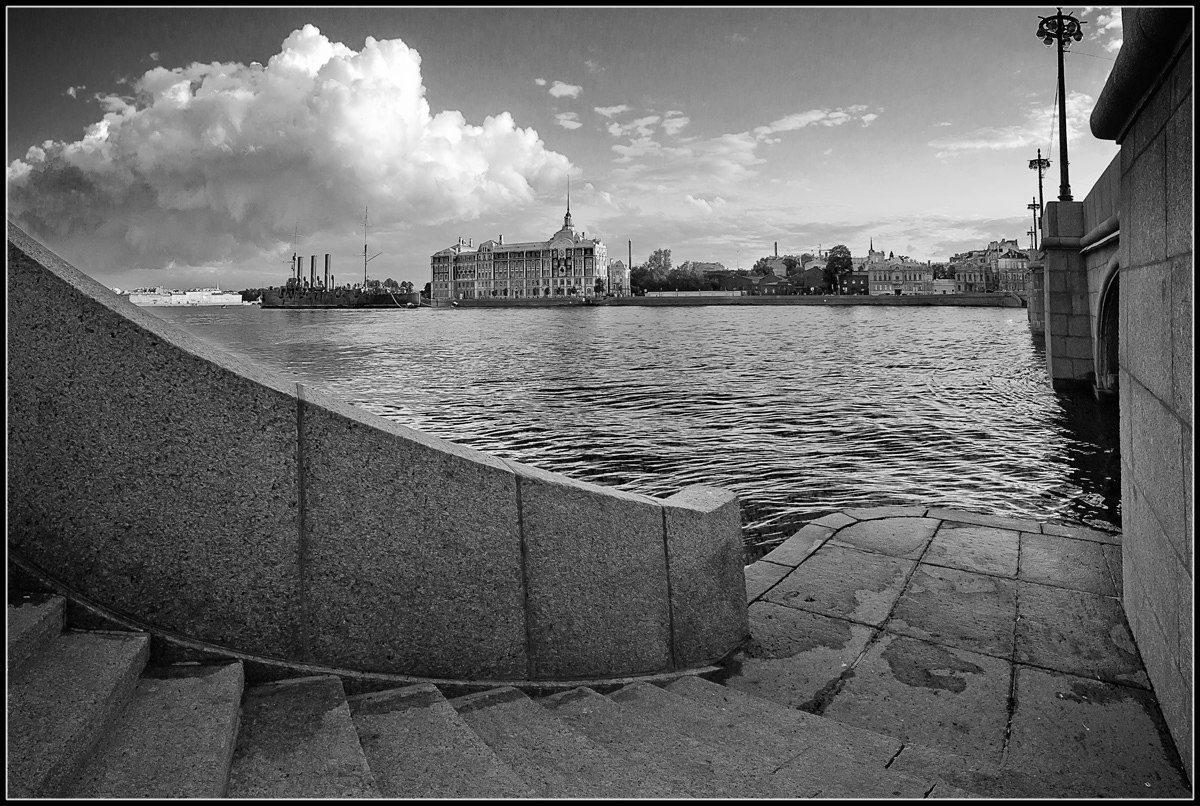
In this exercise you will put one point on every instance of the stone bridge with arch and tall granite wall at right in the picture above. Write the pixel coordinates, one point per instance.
(1113, 294)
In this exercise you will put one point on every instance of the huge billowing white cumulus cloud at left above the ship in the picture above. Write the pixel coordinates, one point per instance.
(218, 161)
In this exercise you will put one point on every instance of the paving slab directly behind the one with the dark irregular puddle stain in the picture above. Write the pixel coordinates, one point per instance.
(961, 609)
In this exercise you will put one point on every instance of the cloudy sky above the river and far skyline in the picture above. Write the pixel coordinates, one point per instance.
(203, 147)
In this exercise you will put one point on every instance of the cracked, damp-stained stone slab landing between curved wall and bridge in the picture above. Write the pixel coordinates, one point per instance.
(995, 649)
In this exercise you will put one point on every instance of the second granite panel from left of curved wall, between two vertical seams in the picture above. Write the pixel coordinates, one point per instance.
(413, 557)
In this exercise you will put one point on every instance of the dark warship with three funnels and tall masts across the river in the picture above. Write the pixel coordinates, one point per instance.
(322, 292)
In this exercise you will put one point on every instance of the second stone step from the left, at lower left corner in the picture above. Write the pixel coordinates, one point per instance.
(62, 701)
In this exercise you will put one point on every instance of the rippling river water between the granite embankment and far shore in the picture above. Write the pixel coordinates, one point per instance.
(801, 411)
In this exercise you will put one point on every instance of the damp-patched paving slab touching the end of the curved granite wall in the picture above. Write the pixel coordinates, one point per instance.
(794, 655)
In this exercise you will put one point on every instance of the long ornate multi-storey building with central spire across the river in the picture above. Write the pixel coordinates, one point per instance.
(568, 264)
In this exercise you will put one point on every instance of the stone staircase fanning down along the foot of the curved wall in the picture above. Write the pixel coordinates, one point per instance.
(88, 718)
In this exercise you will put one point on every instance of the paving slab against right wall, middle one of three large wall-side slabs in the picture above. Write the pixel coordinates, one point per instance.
(1077, 633)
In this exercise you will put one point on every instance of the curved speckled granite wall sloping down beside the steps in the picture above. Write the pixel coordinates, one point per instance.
(202, 495)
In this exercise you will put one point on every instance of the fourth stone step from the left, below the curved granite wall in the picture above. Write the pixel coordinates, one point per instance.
(298, 741)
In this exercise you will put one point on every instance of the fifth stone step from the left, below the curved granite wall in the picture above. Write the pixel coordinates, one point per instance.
(418, 747)
